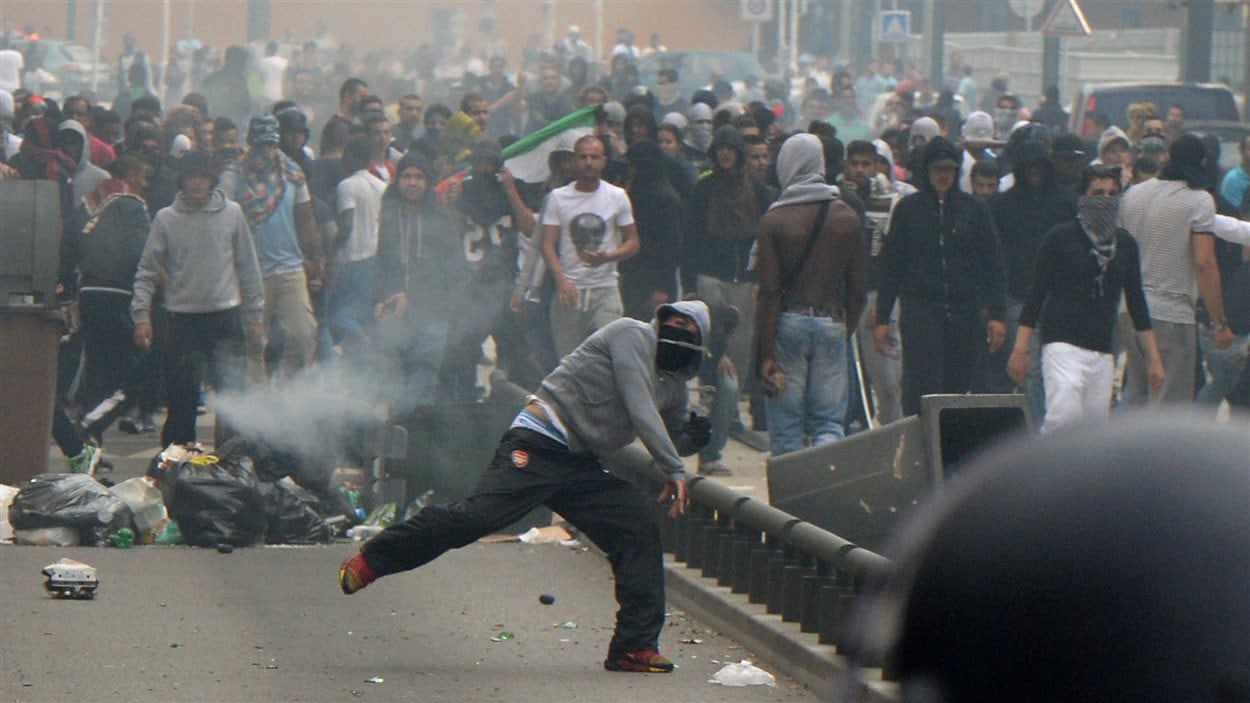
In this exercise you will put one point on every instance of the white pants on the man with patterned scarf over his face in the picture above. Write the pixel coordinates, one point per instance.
(1078, 385)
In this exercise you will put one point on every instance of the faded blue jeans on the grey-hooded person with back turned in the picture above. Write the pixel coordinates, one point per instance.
(813, 355)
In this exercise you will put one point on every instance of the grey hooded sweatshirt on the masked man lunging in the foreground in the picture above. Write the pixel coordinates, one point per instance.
(608, 391)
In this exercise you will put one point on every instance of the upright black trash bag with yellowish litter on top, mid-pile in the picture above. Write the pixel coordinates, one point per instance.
(216, 502)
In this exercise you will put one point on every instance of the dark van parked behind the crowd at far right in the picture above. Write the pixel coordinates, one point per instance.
(1201, 101)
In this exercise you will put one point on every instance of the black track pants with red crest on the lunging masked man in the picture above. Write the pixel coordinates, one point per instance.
(531, 470)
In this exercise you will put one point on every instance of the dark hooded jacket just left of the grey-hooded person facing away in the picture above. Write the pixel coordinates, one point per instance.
(722, 258)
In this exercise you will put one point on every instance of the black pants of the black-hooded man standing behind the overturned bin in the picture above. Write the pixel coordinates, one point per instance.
(942, 350)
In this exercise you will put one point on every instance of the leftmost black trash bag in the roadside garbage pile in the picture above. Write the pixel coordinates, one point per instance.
(73, 501)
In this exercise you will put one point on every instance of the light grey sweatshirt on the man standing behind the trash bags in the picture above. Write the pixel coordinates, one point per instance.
(207, 260)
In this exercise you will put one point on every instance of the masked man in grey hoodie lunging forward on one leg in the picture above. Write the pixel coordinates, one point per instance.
(552, 456)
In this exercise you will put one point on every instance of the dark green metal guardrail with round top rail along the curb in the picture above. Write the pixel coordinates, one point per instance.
(797, 570)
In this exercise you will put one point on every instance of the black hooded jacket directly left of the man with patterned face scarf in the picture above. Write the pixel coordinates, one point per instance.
(1024, 216)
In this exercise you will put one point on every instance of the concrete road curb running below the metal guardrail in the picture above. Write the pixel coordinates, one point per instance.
(781, 645)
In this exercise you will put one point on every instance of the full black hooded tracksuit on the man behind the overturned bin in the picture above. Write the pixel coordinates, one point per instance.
(944, 262)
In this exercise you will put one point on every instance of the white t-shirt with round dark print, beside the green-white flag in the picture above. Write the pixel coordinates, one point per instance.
(589, 222)
